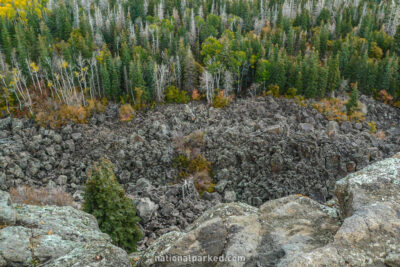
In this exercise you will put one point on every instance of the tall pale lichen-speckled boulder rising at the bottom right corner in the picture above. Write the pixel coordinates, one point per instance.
(369, 202)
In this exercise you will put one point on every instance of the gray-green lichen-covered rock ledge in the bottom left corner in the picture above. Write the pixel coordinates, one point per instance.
(53, 236)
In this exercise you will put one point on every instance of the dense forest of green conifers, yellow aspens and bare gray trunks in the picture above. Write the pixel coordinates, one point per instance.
(56, 52)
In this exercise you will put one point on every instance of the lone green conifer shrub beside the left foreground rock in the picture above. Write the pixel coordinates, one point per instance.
(105, 199)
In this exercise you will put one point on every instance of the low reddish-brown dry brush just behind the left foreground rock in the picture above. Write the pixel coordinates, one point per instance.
(41, 196)
